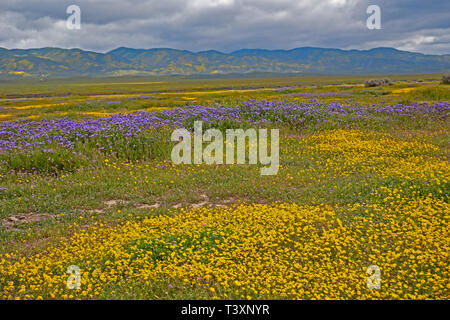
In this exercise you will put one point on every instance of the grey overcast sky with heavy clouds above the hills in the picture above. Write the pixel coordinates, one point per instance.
(226, 25)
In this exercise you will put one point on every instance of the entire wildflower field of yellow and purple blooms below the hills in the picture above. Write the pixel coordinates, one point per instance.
(86, 179)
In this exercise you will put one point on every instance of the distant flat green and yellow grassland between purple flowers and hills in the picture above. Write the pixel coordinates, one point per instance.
(72, 97)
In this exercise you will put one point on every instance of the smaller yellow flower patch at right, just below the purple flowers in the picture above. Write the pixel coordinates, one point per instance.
(344, 152)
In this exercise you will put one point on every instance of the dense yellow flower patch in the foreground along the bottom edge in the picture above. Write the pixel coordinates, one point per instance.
(262, 251)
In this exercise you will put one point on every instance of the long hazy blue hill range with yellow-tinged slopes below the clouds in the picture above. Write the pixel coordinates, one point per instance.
(57, 62)
